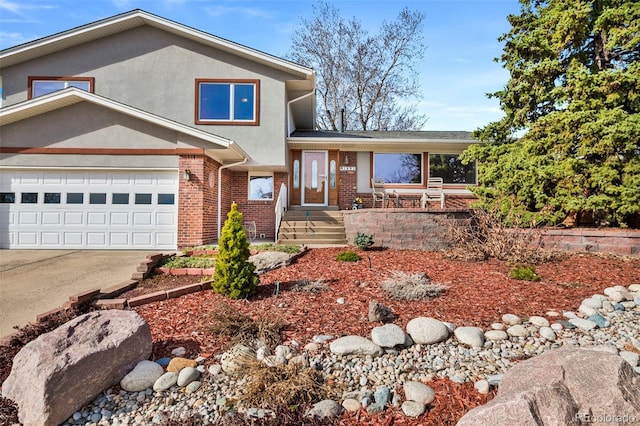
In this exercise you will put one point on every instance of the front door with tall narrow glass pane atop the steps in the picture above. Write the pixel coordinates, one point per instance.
(314, 178)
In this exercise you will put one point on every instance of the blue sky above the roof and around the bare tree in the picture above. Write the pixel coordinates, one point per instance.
(460, 38)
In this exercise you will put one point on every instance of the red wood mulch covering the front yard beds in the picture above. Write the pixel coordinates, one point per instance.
(479, 293)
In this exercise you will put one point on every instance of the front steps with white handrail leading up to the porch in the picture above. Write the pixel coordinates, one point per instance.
(312, 227)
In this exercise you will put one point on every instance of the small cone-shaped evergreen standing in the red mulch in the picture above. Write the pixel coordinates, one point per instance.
(234, 276)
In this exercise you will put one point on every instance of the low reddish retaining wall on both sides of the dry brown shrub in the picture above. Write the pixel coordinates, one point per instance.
(425, 229)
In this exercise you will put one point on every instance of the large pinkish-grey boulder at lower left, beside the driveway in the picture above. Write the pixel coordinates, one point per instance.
(61, 371)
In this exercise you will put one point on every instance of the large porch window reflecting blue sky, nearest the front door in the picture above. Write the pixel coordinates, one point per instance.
(399, 168)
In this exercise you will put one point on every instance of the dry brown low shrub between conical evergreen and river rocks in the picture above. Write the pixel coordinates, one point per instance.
(242, 329)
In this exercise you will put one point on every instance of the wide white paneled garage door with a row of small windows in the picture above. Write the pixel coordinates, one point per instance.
(88, 209)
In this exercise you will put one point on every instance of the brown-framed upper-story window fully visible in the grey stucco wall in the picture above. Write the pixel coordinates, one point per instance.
(227, 101)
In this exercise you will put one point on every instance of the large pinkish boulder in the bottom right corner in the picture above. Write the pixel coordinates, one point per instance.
(567, 386)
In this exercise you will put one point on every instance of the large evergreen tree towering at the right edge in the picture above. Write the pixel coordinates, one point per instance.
(574, 97)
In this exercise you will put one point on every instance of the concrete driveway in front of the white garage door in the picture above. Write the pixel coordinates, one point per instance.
(37, 281)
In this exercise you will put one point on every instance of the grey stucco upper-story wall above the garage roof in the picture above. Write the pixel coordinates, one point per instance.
(155, 71)
